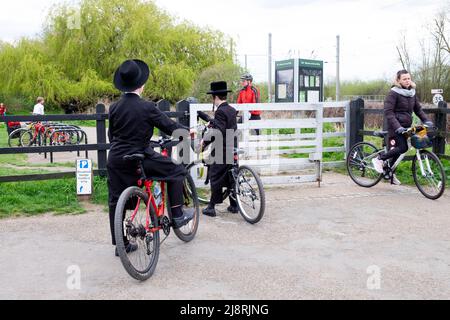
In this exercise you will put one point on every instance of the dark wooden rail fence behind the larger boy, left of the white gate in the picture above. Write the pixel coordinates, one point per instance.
(101, 146)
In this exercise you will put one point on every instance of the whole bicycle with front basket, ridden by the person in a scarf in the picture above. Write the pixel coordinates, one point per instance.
(427, 170)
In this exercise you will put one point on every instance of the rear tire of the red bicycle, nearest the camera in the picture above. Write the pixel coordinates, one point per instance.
(147, 272)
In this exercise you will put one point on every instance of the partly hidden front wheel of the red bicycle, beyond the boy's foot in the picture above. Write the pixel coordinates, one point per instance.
(188, 232)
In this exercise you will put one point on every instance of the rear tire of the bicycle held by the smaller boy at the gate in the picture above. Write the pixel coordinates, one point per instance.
(262, 197)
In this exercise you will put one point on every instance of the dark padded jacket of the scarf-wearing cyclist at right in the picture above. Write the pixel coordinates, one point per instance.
(398, 111)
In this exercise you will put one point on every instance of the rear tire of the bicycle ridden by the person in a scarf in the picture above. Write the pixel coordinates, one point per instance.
(362, 165)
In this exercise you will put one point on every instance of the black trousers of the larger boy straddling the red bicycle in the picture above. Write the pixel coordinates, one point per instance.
(124, 175)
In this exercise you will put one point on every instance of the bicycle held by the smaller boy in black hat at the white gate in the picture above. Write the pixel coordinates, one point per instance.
(247, 190)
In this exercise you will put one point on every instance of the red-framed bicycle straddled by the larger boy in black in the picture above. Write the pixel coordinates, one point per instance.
(141, 214)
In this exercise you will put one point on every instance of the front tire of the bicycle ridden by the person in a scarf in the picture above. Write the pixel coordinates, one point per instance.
(440, 170)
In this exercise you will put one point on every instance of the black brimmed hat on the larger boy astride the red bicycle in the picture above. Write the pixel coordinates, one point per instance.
(131, 75)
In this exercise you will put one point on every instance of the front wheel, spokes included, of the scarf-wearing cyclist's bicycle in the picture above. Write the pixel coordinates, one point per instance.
(429, 175)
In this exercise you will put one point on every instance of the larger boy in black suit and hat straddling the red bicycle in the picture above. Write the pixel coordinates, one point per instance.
(131, 125)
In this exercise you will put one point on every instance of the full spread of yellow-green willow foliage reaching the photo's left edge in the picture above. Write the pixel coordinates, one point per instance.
(74, 59)
